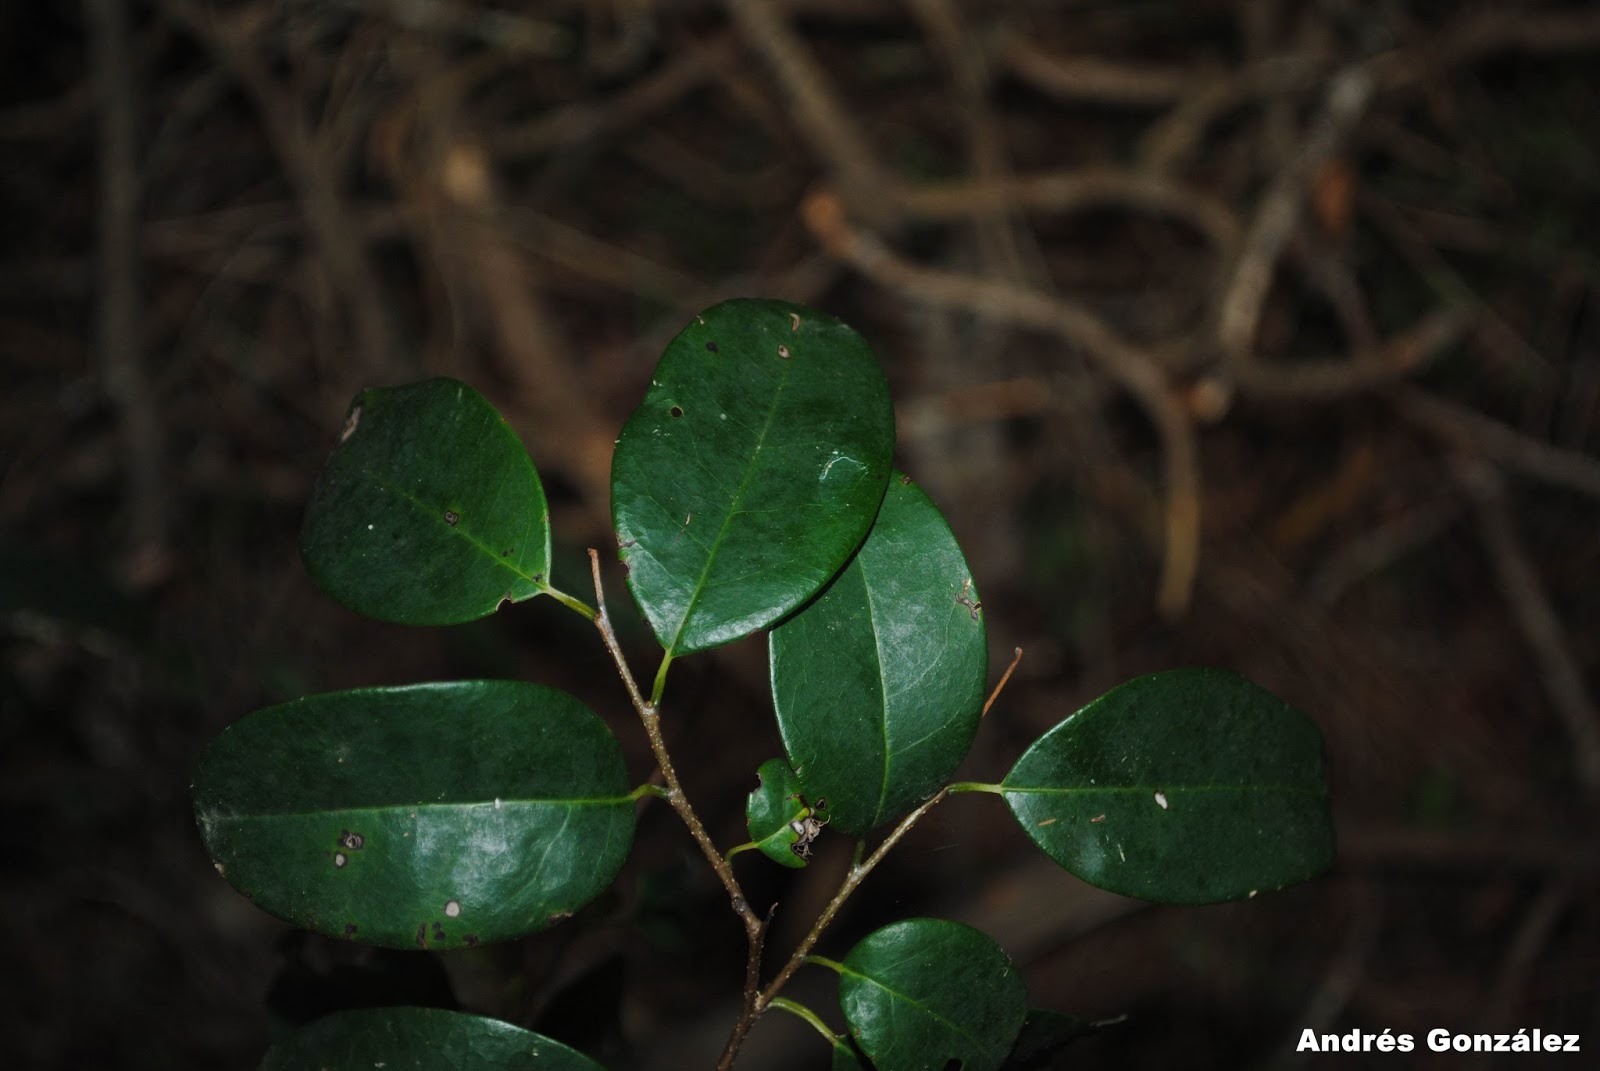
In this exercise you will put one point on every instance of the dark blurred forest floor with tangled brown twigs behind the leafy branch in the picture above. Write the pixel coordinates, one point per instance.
(1303, 294)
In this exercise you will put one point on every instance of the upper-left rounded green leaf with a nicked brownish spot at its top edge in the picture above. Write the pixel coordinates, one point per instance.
(430, 510)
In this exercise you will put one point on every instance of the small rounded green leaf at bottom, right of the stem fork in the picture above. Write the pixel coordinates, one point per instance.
(926, 992)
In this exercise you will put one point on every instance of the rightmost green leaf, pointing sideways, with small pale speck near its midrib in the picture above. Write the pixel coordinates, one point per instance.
(1185, 787)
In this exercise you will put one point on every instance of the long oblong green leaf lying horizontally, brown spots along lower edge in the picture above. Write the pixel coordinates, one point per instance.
(438, 816)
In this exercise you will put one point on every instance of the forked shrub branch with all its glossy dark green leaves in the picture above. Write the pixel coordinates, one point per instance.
(753, 489)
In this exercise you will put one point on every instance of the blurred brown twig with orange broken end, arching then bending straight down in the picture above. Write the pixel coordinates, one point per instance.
(1121, 359)
